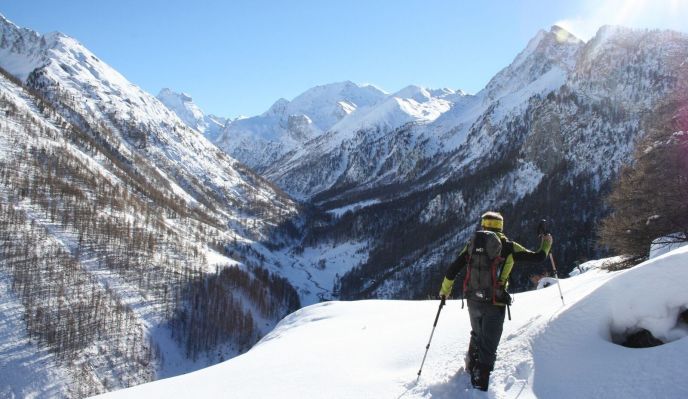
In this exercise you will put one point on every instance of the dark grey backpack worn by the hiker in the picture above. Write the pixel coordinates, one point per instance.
(484, 259)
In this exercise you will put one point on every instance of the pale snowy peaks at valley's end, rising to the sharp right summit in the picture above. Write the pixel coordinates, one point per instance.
(303, 141)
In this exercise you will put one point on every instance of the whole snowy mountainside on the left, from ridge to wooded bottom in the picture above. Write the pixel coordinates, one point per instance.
(113, 214)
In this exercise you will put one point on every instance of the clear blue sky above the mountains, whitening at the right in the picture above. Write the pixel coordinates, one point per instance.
(238, 57)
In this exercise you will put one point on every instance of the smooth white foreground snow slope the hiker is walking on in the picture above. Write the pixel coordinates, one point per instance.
(373, 349)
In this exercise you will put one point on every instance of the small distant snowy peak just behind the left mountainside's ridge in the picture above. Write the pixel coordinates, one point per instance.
(182, 105)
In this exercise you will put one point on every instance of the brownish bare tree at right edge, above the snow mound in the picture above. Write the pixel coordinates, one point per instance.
(649, 199)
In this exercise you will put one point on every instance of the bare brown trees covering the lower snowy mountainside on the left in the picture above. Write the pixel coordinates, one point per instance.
(97, 247)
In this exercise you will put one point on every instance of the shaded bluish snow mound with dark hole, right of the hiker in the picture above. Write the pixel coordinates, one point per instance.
(574, 356)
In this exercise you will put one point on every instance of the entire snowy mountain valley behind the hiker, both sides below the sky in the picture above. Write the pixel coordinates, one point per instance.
(142, 239)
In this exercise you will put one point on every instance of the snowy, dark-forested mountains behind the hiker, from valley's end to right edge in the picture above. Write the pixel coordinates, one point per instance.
(543, 139)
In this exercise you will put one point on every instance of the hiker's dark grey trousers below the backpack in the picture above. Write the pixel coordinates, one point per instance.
(487, 321)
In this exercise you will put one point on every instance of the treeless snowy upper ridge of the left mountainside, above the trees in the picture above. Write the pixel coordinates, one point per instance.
(92, 94)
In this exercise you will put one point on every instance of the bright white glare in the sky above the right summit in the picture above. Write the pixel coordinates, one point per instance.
(662, 14)
